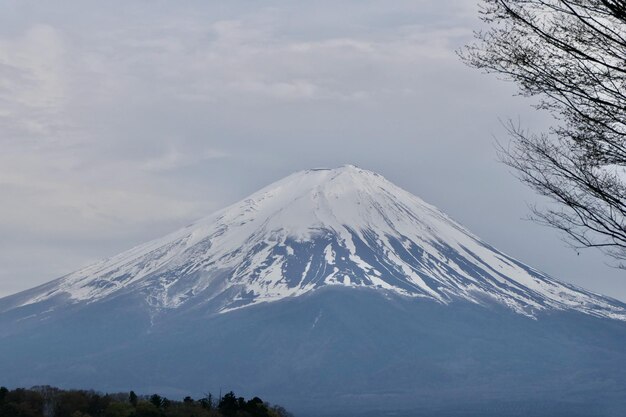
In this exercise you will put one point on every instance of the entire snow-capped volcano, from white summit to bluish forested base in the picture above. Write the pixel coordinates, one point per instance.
(329, 291)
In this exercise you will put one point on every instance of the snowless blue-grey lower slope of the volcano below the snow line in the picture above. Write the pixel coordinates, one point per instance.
(336, 352)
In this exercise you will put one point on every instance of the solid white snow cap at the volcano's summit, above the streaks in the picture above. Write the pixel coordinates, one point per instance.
(308, 202)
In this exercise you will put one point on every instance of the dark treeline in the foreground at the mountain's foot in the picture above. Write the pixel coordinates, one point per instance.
(46, 401)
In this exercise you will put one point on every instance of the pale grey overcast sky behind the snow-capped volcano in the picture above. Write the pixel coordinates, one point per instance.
(121, 121)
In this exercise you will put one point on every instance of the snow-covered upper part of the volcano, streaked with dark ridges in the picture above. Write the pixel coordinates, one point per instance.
(322, 227)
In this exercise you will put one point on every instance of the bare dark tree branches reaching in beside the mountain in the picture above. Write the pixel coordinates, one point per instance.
(571, 54)
